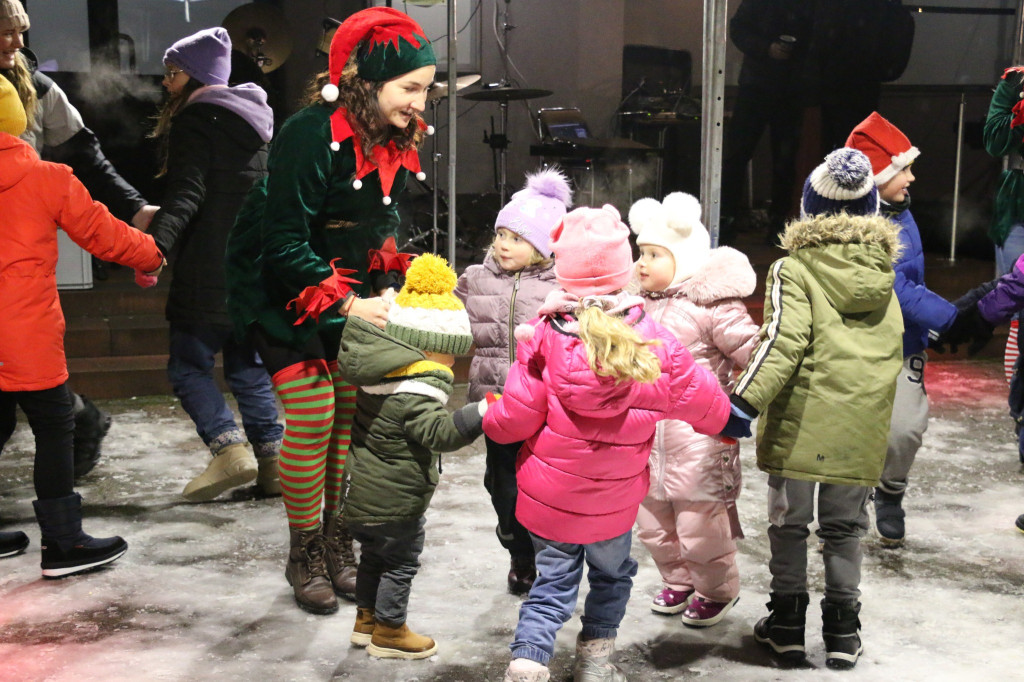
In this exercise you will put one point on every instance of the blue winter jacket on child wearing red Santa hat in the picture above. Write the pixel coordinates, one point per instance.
(923, 310)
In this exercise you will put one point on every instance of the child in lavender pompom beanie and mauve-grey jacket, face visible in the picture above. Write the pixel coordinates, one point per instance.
(505, 291)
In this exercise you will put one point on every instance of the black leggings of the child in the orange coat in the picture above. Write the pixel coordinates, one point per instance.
(53, 421)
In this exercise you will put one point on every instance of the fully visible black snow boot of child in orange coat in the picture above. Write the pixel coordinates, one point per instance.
(67, 550)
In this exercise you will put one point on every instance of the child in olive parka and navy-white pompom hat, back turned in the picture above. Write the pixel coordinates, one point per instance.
(823, 380)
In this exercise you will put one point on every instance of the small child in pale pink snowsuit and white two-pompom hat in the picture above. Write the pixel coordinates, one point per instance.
(689, 521)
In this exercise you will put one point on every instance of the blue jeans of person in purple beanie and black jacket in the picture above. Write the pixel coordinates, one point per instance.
(193, 354)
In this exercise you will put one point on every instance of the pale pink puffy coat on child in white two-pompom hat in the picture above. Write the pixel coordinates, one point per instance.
(706, 314)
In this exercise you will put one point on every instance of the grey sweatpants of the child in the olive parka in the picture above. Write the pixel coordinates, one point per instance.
(842, 523)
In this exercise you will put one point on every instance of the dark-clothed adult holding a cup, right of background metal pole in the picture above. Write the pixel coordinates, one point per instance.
(774, 37)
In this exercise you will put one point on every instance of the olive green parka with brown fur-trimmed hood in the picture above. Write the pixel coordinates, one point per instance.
(824, 375)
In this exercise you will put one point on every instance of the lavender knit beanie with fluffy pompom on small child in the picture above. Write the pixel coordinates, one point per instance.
(537, 208)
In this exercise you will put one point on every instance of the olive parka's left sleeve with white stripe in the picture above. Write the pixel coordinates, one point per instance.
(785, 336)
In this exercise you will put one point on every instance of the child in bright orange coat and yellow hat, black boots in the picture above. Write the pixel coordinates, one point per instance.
(38, 199)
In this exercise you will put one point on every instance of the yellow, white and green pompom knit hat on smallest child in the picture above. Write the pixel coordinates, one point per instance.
(426, 314)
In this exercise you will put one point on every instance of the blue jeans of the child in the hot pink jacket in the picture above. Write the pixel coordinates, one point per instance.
(553, 598)
